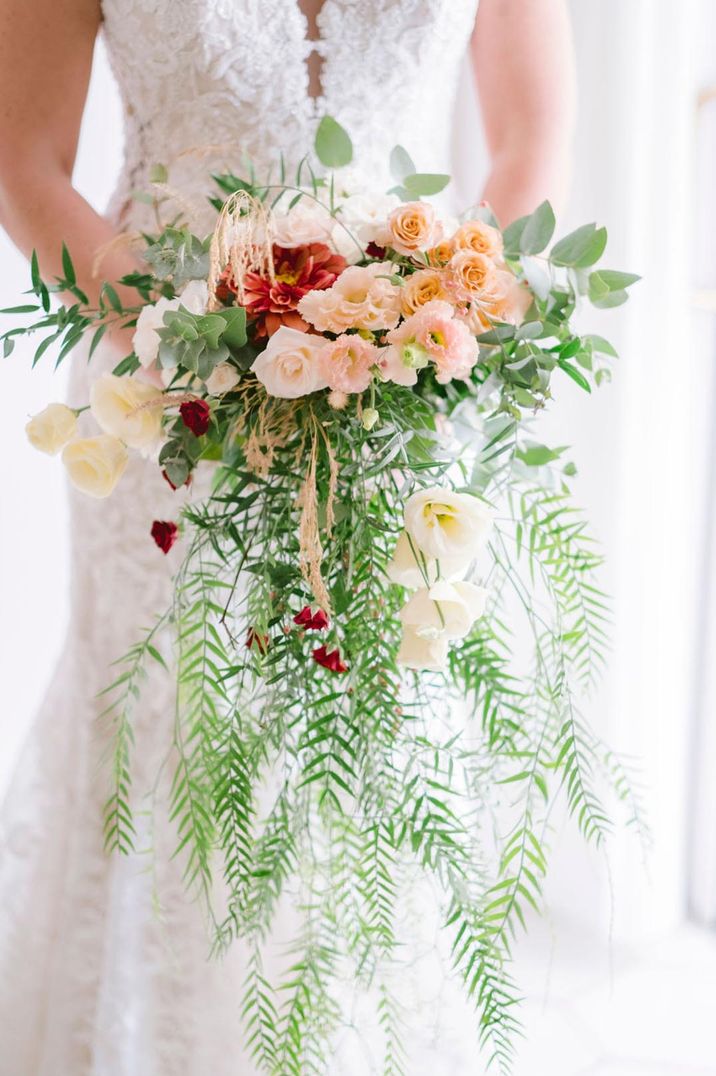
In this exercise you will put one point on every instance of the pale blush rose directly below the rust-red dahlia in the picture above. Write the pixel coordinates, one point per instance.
(291, 365)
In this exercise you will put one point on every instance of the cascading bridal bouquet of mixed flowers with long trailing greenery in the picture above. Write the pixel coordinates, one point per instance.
(367, 373)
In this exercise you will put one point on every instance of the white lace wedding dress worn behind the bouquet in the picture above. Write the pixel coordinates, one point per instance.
(104, 968)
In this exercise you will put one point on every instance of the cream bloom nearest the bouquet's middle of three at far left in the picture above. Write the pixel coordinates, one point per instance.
(129, 409)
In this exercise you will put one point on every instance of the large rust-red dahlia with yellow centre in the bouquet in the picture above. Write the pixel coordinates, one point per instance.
(298, 271)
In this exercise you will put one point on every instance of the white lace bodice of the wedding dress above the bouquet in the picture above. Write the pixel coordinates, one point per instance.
(205, 82)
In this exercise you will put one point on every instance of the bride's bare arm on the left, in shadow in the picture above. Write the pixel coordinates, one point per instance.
(46, 62)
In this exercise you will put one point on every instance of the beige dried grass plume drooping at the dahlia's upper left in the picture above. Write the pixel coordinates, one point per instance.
(243, 242)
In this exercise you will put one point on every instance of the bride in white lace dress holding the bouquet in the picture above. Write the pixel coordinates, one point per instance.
(104, 959)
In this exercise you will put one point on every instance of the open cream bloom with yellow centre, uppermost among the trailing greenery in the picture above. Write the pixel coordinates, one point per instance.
(444, 523)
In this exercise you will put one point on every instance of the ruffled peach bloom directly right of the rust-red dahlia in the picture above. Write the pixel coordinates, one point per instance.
(362, 299)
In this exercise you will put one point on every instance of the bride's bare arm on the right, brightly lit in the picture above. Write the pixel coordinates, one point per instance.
(524, 62)
